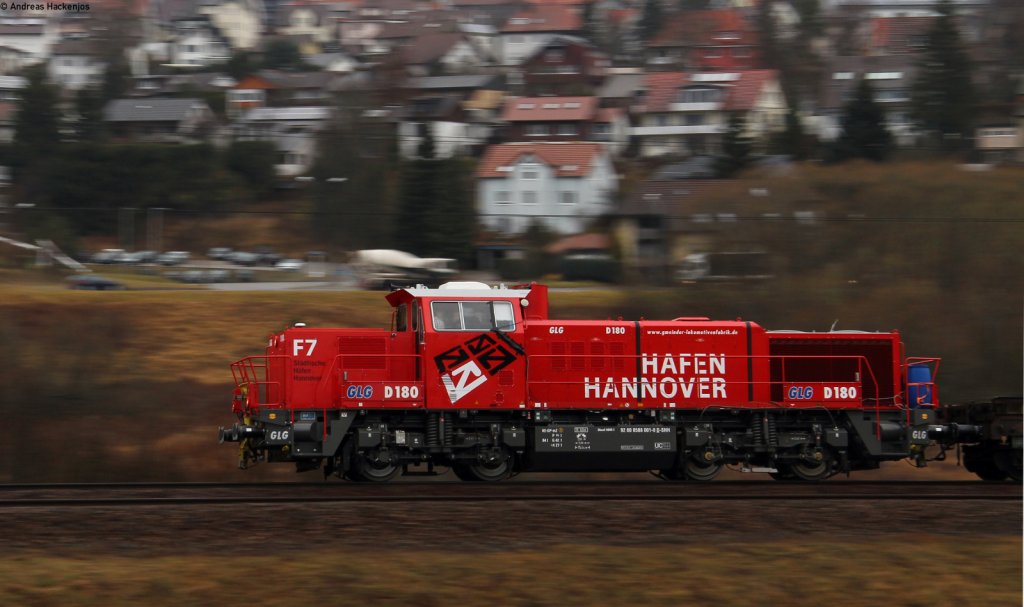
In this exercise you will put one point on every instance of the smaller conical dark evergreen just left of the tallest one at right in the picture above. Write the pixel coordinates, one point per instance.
(864, 132)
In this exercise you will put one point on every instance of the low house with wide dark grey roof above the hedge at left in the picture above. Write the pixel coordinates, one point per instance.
(159, 120)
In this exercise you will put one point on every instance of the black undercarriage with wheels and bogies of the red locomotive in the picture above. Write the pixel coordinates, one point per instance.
(491, 446)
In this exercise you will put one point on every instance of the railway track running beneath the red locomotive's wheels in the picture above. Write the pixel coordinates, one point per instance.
(107, 495)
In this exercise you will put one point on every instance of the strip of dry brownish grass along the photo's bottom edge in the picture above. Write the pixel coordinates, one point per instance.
(919, 571)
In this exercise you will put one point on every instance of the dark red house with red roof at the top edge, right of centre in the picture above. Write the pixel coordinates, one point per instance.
(705, 41)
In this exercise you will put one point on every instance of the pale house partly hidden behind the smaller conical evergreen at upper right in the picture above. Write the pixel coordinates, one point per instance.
(891, 78)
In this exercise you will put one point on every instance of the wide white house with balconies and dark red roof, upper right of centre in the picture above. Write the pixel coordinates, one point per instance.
(689, 114)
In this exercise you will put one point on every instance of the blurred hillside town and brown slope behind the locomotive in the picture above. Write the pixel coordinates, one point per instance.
(180, 180)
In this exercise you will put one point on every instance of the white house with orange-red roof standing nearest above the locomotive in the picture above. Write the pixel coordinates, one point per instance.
(564, 187)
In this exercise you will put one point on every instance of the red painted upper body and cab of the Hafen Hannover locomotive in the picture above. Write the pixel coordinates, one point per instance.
(535, 363)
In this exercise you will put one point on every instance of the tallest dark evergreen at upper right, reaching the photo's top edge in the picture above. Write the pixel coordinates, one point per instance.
(943, 96)
